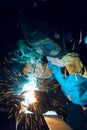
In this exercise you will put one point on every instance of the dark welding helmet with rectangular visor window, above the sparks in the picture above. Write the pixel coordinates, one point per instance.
(41, 30)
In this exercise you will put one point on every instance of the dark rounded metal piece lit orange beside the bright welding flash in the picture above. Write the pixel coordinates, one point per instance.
(42, 103)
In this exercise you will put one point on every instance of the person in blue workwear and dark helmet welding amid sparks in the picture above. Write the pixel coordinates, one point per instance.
(58, 45)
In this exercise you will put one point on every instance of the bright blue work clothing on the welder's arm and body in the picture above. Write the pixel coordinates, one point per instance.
(73, 86)
